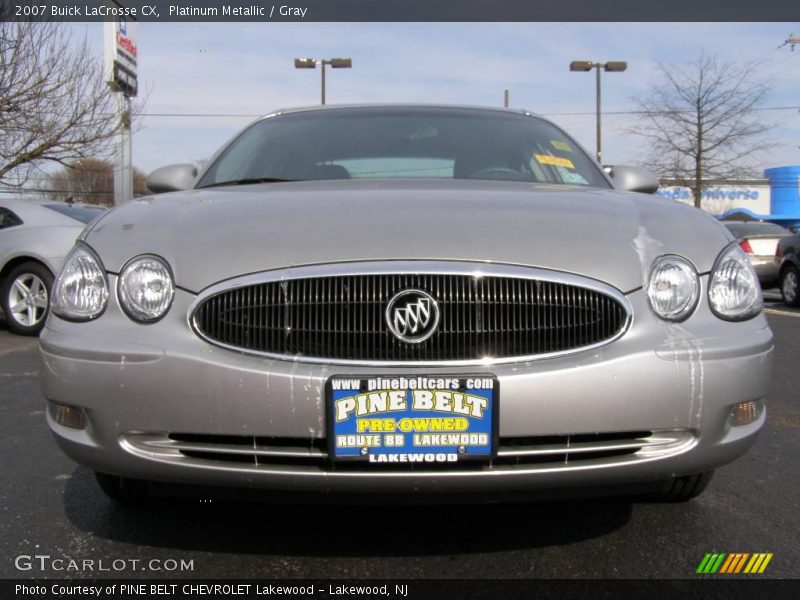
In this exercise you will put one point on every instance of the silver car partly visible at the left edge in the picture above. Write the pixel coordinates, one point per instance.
(35, 236)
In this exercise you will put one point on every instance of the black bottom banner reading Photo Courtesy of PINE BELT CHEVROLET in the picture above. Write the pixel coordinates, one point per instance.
(730, 588)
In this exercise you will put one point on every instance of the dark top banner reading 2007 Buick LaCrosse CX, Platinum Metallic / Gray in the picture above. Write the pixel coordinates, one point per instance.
(409, 10)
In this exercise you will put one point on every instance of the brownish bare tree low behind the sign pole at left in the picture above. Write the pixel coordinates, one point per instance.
(91, 181)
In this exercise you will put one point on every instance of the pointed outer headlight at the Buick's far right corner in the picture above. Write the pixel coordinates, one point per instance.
(733, 289)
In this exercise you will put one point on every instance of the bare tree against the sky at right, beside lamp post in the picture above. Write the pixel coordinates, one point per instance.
(700, 123)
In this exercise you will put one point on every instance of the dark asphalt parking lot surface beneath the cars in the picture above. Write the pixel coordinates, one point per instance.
(51, 507)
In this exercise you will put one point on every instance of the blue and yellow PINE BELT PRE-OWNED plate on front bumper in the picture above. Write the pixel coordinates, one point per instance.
(401, 420)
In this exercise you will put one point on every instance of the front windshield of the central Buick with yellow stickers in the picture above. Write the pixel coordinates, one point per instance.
(391, 143)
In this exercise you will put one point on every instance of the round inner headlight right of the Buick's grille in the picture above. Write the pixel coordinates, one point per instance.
(674, 288)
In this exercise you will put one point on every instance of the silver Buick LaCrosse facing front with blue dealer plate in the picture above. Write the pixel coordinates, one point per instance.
(412, 301)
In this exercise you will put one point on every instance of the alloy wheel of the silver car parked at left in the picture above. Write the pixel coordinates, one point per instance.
(26, 297)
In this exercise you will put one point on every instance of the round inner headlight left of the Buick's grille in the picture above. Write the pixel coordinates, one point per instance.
(146, 288)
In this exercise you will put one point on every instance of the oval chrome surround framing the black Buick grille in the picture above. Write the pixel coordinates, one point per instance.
(404, 267)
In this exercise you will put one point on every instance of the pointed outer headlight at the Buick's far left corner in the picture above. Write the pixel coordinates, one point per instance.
(80, 292)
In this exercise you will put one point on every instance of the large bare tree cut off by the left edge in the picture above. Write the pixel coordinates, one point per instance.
(54, 104)
